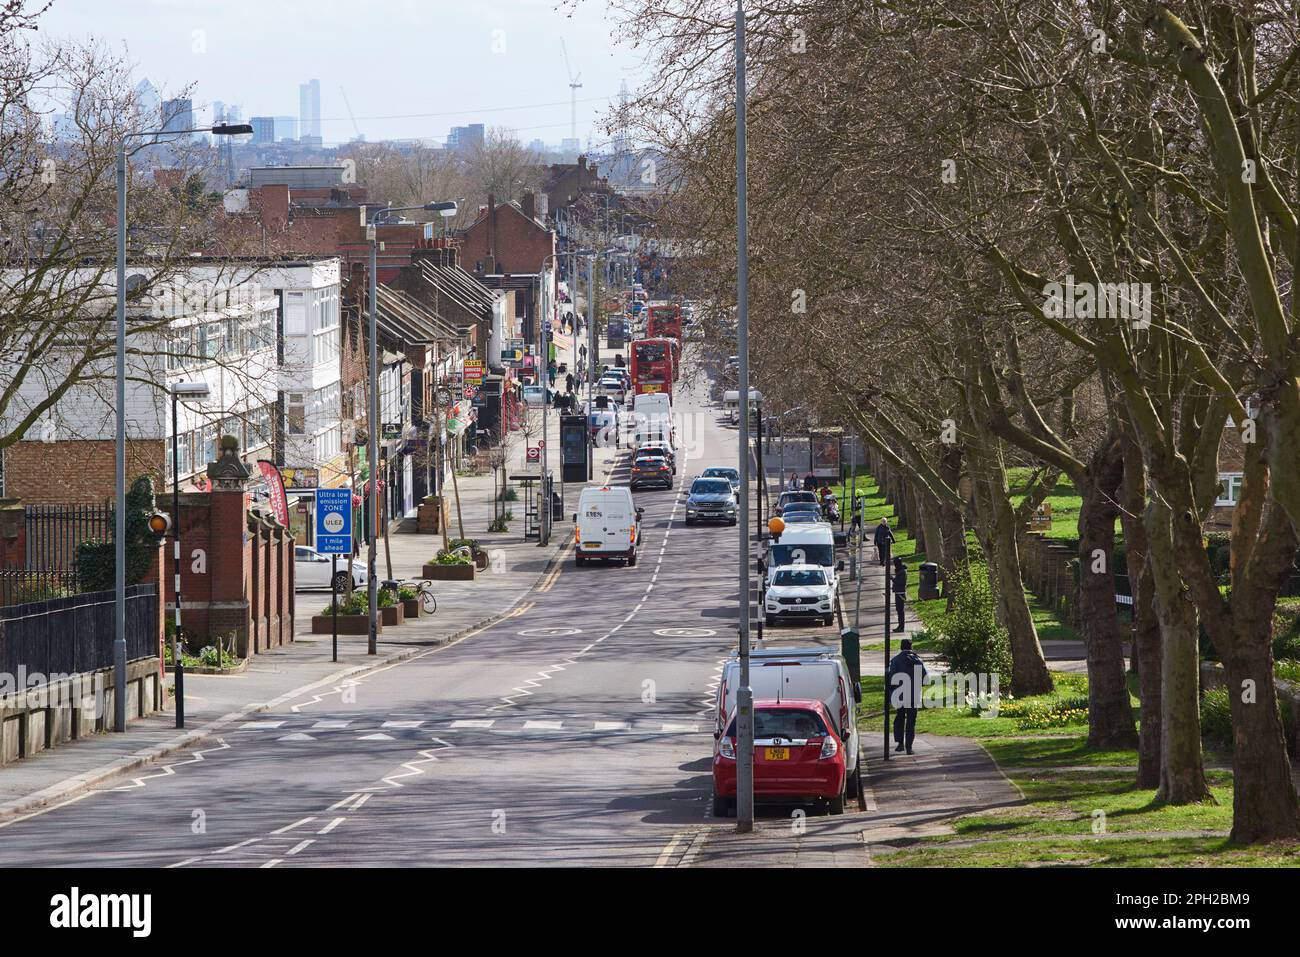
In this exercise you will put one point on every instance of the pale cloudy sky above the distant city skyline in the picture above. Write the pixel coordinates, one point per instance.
(411, 68)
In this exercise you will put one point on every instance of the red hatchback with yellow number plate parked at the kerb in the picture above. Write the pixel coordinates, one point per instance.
(798, 755)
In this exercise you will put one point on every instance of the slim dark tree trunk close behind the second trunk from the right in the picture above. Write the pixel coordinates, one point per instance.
(1146, 629)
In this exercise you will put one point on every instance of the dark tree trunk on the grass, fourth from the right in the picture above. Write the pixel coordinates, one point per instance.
(1111, 720)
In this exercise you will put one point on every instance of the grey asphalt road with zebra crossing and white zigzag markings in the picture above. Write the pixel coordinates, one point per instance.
(575, 733)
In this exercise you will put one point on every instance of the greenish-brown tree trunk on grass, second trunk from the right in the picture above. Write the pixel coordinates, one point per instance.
(1182, 773)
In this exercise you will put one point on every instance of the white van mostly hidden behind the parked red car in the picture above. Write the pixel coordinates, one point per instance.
(799, 674)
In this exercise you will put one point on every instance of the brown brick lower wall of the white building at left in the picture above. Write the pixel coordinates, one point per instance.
(77, 471)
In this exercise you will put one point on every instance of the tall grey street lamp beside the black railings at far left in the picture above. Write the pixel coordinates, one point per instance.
(120, 439)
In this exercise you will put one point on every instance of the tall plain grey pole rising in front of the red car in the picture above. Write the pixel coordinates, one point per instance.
(744, 694)
